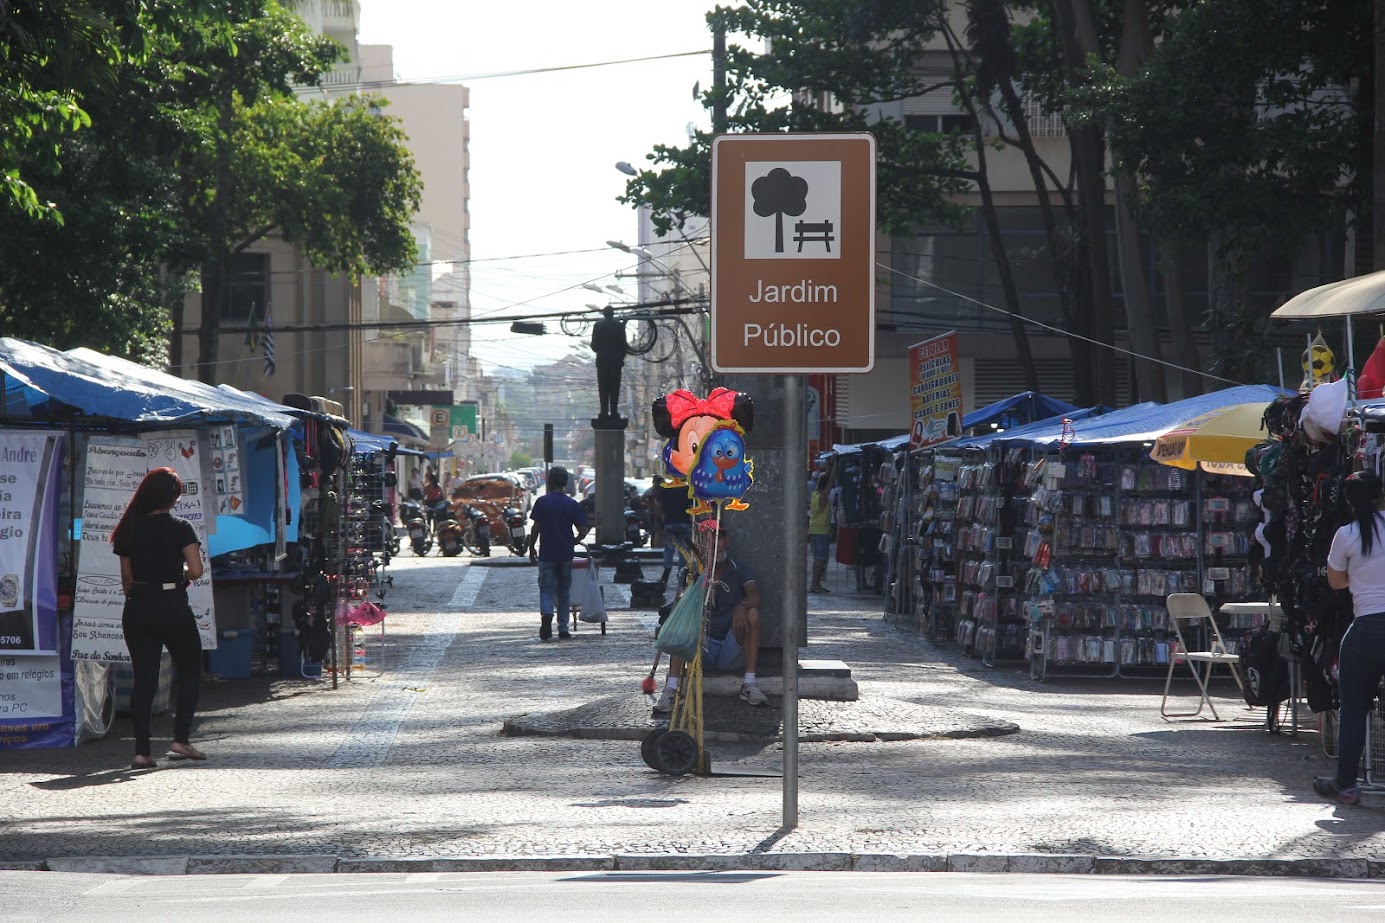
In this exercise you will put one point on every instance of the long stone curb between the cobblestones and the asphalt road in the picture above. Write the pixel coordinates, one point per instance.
(985, 863)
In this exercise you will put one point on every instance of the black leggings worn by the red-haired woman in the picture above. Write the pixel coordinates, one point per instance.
(153, 622)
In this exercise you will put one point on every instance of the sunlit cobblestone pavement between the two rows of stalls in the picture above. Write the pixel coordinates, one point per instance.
(412, 764)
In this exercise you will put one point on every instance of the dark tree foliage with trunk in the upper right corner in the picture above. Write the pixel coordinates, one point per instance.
(1246, 143)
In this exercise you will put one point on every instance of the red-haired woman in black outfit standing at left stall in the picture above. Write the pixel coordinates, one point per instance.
(160, 556)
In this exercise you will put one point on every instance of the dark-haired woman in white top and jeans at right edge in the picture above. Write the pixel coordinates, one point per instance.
(1357, 562)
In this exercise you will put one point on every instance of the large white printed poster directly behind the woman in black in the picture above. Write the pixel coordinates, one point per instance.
(116, 468)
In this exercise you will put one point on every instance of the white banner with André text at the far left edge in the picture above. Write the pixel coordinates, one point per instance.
(31, 469)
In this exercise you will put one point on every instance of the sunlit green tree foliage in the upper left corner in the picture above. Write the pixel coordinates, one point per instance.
(192, 148)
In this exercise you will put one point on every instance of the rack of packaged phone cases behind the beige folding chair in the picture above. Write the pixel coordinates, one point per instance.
(1111, 534)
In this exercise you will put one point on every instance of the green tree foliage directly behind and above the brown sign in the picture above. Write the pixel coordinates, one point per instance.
(857, 55)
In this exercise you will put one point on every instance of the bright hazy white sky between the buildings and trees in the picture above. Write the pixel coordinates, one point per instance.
(544, 148)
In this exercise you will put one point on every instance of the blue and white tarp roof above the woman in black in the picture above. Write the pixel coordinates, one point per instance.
(42, 383)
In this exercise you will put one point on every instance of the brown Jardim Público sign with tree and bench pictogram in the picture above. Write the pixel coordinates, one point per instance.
(794, 253)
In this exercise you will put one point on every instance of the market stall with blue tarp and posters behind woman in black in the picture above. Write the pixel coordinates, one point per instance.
(114, 421)
